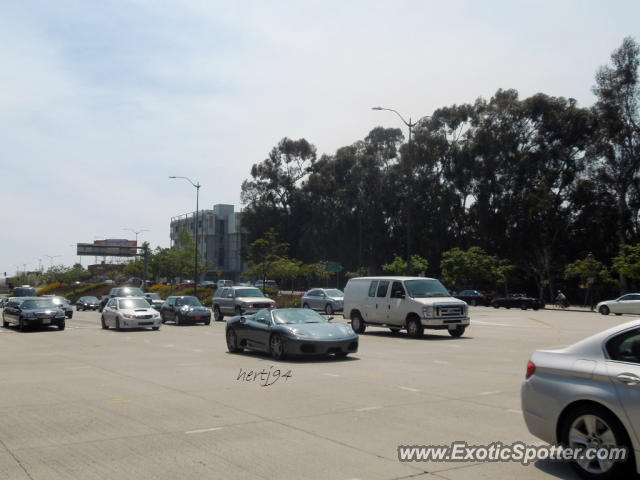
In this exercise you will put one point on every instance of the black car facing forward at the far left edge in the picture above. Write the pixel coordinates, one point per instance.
(30, 311)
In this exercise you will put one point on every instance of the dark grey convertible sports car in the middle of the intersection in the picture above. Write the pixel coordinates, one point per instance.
(290, 331)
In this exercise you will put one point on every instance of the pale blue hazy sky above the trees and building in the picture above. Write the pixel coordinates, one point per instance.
(100, 102)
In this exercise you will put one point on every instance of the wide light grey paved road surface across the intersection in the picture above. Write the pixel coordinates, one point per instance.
(88, 404)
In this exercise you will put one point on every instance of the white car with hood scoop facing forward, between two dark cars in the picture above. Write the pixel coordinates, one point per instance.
(130, 312)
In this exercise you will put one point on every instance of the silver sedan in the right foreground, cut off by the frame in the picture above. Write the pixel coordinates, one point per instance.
(586, 395)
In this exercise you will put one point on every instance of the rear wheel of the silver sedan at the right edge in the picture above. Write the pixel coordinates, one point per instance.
(593, 427)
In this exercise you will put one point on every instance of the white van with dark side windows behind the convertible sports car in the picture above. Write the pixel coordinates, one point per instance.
(414, 303)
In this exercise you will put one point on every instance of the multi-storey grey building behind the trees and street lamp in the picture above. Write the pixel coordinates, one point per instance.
(220, 240)
